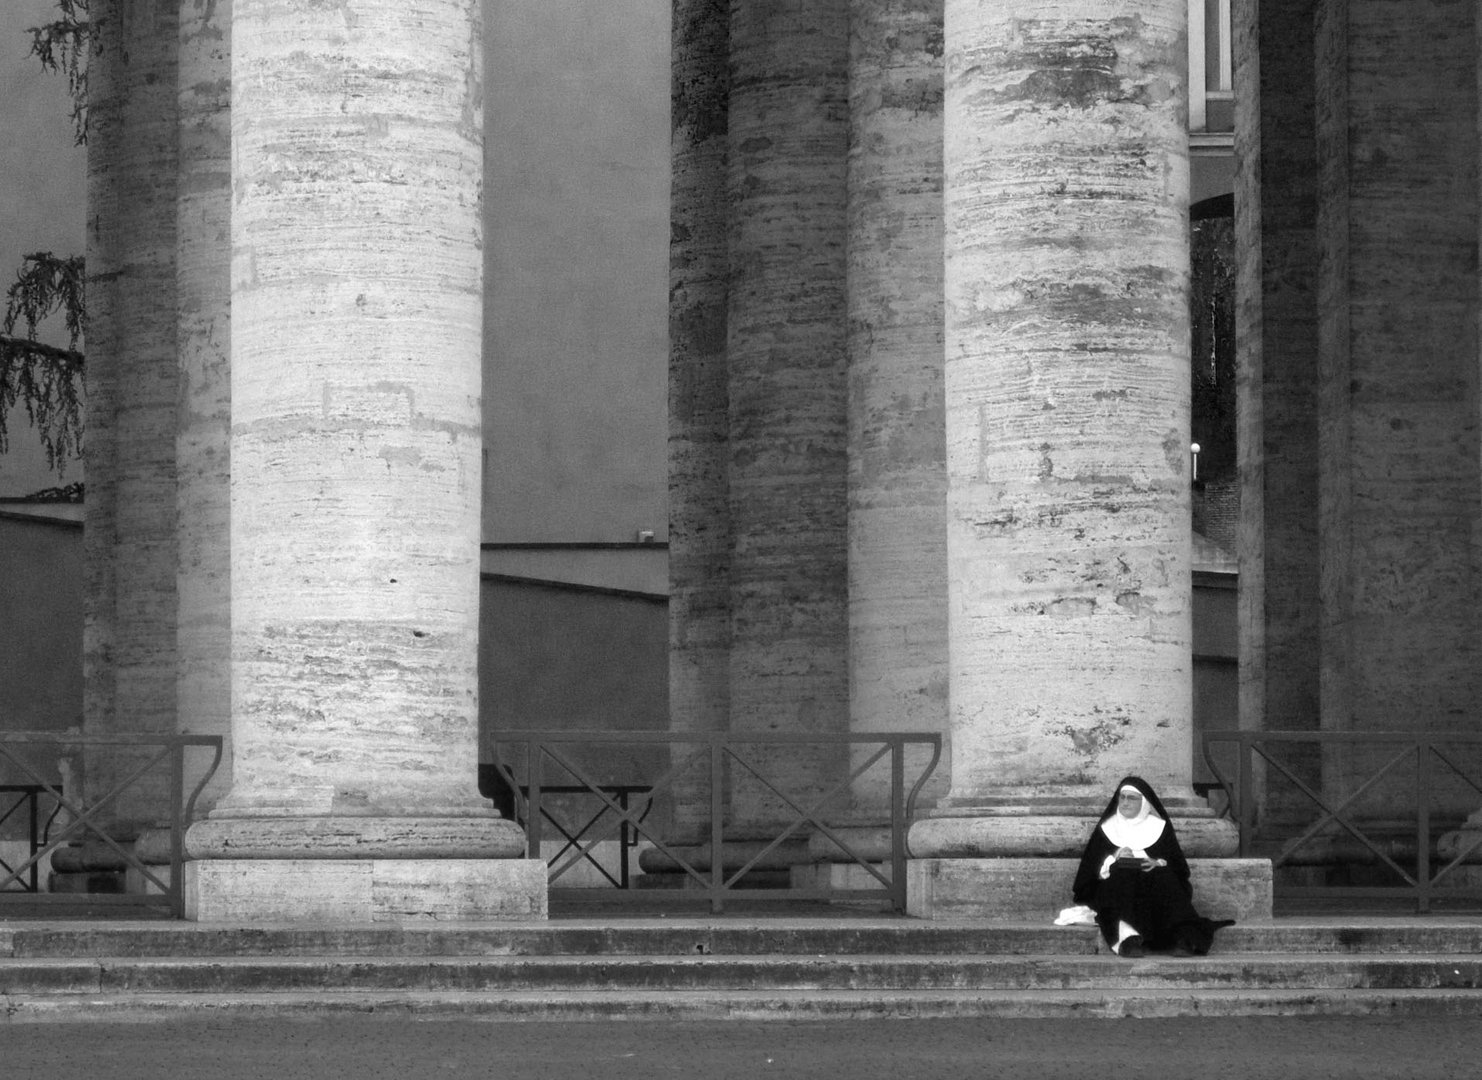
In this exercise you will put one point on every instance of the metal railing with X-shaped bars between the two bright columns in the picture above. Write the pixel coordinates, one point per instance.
(720, 753)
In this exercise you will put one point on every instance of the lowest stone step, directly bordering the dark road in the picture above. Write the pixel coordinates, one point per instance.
(745, 1005)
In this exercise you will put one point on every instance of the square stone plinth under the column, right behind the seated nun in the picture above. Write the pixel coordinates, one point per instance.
(1016, 891)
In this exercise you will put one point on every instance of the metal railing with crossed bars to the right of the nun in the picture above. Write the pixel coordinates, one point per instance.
(1335, 813)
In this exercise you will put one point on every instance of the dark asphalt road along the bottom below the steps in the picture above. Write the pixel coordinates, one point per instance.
(404, 1050)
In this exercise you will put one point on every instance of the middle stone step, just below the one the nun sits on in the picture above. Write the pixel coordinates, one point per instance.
(253, 976)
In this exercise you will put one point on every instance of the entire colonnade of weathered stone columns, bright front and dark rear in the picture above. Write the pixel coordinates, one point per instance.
(928, 410)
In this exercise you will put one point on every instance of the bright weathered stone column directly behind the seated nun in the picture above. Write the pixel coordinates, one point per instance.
(1068, 426)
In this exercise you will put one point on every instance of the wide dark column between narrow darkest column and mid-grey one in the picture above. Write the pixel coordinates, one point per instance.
(788, 414)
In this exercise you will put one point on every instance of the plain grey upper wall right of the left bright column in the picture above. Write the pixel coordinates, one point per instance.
(577, 269)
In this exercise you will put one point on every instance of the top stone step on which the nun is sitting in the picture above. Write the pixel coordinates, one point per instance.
(699, 937)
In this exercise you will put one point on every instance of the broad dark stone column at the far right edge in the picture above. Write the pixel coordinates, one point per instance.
(1398, 404)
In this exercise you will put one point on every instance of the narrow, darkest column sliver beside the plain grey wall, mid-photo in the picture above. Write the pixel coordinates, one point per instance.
(699, 420)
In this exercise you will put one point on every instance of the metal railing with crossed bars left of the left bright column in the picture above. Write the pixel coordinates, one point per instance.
(81, 820)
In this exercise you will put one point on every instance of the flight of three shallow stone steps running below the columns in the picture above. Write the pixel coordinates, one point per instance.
(728, 968)
